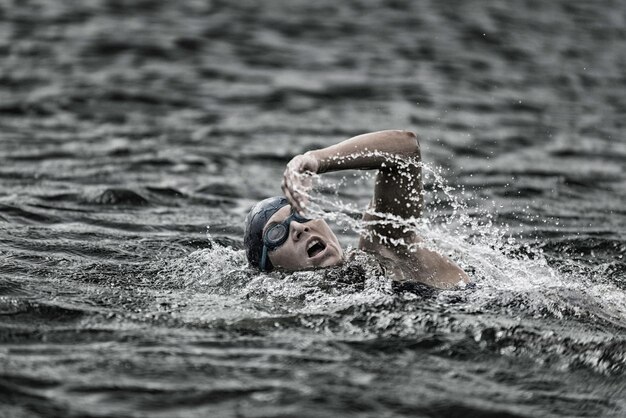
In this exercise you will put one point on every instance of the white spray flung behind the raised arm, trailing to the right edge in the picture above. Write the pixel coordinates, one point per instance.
(511, 271)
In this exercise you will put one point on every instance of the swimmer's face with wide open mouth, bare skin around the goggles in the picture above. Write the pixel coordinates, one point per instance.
(309, 245)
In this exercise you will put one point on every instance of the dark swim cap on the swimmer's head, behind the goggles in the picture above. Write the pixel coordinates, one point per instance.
(255, 221)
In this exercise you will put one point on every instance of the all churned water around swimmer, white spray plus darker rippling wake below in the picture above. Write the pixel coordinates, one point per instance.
(516, 307)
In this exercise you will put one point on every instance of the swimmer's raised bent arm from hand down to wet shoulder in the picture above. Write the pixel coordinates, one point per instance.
(398, 193)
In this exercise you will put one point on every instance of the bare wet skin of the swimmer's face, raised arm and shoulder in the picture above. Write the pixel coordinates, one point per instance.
(398, 191)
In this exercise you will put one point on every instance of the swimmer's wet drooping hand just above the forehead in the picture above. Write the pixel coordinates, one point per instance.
(297, 180)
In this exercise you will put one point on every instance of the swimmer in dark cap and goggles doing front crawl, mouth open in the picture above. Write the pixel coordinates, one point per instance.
(278, 235)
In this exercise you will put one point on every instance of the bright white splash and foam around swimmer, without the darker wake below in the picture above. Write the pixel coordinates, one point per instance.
(512, 276)
